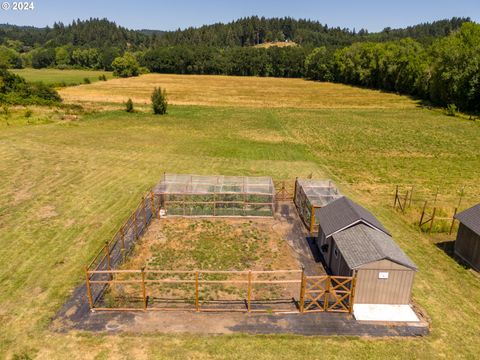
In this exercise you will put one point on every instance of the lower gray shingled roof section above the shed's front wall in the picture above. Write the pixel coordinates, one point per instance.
(362, 245)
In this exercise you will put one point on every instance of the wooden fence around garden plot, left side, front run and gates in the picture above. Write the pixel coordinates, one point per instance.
(110, 288)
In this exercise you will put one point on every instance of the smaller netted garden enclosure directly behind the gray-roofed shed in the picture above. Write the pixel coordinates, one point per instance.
(311, 195)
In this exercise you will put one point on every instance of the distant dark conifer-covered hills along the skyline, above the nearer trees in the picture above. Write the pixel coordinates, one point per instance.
(250, 31)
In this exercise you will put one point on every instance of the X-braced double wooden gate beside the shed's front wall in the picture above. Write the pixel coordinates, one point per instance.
(327, 293)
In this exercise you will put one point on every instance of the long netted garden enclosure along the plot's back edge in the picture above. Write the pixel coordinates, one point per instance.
(199, 195)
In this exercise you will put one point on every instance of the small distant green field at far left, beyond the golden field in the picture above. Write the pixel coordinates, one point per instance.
(56, 77)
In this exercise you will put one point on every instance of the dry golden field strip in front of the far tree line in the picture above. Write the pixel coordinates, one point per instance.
(237, 92)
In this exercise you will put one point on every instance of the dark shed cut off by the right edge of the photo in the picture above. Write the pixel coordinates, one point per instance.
(467, 245)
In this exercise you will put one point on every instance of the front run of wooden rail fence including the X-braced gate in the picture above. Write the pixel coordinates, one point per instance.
(304, 293)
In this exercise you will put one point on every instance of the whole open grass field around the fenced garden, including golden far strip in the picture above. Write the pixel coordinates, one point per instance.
(67, 185)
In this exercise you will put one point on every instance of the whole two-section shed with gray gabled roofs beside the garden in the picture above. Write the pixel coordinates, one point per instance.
(353, 241)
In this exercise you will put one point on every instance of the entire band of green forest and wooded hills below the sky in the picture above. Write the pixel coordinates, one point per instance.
(438, 61)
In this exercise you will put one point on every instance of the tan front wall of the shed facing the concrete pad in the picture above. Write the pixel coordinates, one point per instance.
(394, 290)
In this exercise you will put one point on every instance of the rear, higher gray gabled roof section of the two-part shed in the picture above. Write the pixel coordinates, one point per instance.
(342, 213)
